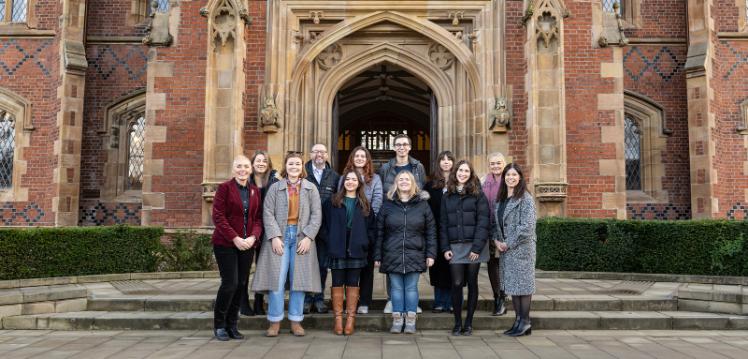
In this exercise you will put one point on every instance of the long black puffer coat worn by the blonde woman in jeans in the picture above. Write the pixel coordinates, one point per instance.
(406, 235)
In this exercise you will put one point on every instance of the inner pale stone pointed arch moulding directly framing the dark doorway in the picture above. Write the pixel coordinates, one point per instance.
(428, 72)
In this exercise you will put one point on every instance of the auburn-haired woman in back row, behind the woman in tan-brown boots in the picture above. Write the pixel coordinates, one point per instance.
(360, 161)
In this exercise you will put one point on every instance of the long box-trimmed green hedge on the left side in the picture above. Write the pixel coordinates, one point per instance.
(54, 252)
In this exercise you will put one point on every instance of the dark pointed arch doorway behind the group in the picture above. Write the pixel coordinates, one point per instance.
(376, 105)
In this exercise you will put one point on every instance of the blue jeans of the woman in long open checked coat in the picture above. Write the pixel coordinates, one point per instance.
(277, 298)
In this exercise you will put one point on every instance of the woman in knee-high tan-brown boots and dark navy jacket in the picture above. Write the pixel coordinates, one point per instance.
(348, 227)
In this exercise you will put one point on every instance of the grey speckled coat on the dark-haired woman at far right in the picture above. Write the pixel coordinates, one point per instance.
(518, 262)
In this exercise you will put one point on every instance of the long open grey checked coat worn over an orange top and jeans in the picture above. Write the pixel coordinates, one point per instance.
(275, 217)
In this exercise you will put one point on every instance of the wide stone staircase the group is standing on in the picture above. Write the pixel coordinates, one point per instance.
(564, 301)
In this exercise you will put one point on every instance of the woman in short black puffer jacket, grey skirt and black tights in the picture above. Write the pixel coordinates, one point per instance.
(464, 226)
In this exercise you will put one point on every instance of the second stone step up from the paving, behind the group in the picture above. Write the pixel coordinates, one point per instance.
(540, 303)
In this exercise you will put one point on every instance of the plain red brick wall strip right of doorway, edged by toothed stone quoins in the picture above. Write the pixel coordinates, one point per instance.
(583, 120)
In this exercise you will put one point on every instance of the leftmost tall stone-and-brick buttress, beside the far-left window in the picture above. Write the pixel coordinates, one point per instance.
(67, 147)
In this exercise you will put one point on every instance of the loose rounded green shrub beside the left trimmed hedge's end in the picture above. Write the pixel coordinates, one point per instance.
(187, 251)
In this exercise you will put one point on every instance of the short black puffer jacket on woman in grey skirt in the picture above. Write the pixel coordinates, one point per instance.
(464, 219)
